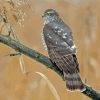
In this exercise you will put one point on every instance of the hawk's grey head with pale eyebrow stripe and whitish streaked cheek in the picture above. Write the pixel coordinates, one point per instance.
(50, 15)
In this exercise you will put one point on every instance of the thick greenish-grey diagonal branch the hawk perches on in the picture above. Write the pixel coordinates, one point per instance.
(44, 60)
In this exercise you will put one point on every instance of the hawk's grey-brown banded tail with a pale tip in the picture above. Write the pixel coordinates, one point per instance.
(74, 82)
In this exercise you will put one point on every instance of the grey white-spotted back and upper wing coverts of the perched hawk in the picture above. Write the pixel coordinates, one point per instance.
(60, 36)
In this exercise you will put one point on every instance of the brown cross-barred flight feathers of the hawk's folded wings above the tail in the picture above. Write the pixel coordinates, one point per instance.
(67, 63)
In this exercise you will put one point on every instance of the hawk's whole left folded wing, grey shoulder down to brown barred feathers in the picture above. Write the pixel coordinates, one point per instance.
(59, 51)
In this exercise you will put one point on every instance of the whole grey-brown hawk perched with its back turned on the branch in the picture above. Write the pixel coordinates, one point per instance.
(58, 41)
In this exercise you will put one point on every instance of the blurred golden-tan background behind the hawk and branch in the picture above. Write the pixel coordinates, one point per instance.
(25, 18)
